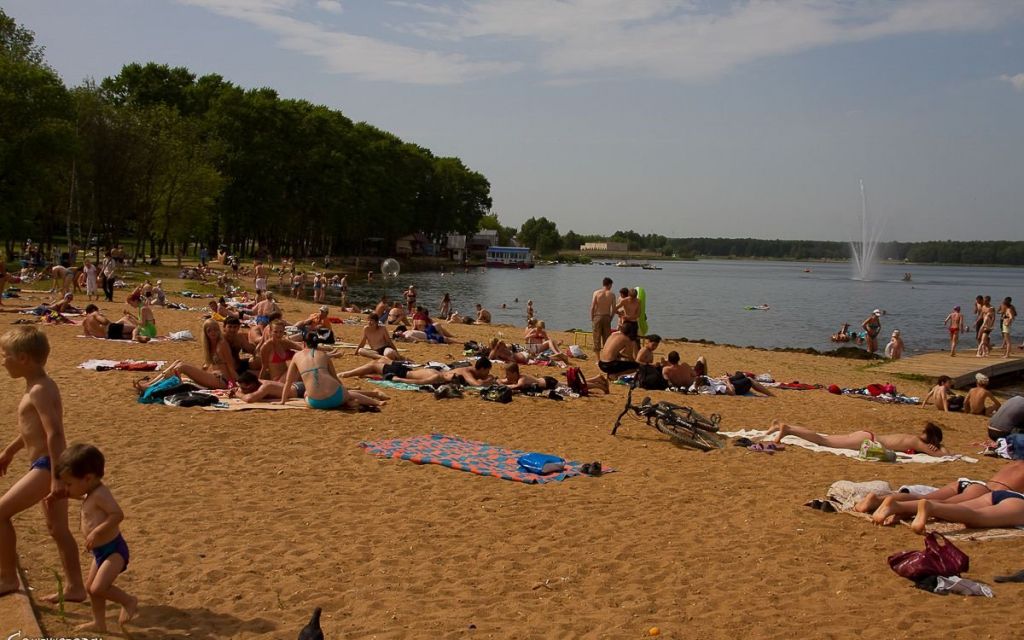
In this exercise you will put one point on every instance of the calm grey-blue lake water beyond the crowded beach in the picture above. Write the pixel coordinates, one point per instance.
(706, 300)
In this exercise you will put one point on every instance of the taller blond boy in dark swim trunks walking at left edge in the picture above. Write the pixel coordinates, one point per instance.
(40, 422)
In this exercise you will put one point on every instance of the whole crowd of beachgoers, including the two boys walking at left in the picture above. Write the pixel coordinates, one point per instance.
(251, 354)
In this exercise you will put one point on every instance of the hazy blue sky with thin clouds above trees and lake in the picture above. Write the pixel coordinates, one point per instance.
(678, 117)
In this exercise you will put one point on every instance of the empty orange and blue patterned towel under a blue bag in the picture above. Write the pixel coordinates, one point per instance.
(456, 453)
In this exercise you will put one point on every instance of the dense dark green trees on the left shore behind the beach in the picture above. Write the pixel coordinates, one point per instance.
(168, 161)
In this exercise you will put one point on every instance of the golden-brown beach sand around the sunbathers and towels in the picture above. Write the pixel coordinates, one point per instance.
(241, 523)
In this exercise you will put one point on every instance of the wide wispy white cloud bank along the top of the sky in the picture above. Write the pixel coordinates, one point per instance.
(574, 40)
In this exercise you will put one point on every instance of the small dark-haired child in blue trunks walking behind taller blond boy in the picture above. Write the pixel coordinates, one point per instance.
(81, 470)
